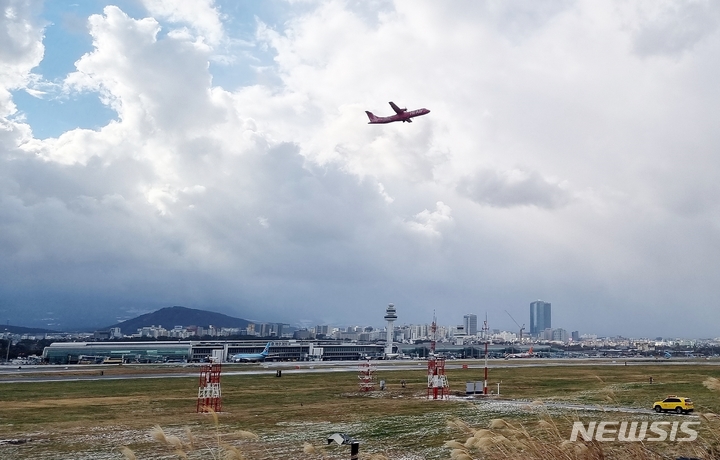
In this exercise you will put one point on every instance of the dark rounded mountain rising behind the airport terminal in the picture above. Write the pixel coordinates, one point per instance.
(170, 317)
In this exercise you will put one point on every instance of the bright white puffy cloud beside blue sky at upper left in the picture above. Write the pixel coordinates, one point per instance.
(147, 87)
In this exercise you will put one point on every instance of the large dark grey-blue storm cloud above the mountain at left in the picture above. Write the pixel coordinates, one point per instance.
(81, 229)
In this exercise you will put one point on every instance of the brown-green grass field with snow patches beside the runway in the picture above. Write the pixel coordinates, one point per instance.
(95, 419)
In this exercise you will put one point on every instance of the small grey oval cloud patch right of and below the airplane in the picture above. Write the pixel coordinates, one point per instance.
(505, 189)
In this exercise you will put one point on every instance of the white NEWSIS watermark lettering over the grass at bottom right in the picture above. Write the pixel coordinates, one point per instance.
(634, 431)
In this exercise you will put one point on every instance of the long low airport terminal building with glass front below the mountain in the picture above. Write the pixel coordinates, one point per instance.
(200, 351)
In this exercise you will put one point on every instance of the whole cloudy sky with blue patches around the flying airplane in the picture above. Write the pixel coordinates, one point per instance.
(216, 155)
